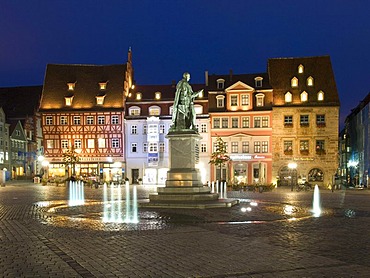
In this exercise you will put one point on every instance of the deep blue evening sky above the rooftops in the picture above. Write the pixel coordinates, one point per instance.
(169, 37)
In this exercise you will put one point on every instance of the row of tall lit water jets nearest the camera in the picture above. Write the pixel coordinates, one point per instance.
(113, 204)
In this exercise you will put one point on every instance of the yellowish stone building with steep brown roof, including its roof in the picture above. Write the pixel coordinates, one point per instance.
(305, 118)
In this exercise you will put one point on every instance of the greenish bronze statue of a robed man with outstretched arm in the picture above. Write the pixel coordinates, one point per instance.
(183, 114)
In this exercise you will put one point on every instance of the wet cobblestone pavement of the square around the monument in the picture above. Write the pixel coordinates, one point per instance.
(35, 242)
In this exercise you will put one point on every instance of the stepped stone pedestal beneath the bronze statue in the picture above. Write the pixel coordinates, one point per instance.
(184, 188)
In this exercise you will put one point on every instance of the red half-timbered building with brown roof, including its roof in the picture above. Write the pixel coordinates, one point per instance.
(82, 107)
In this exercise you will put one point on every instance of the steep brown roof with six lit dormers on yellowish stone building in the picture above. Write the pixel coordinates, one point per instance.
(283, 70)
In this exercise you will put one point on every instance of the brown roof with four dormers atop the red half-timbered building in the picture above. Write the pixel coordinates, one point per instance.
(86, 79)
